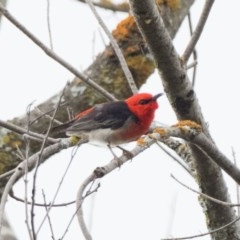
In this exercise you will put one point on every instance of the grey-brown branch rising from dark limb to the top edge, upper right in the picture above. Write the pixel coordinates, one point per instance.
(198, 31)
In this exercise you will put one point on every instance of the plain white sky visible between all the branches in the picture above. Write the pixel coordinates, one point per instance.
(141, 199)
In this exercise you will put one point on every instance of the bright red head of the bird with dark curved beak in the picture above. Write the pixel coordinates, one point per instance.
(143, 105)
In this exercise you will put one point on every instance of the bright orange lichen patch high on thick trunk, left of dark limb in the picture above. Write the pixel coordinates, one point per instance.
(124, 28)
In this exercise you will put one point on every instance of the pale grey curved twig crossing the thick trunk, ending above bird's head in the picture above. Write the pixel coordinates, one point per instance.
(116, 48)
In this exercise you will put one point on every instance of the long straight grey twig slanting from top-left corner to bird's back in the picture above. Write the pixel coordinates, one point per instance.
(54, 56)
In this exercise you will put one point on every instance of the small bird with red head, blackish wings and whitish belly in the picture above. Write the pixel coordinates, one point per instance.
(114, 123)
